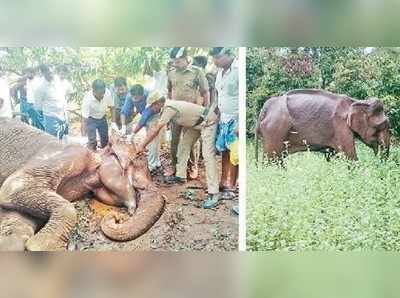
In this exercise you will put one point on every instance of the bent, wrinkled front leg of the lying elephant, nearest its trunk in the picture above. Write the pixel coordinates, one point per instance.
(45, 204)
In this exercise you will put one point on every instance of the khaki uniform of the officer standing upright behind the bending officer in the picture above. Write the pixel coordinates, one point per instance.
(185, 86)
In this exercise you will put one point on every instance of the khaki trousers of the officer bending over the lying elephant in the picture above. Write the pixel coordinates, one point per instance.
(190, 136)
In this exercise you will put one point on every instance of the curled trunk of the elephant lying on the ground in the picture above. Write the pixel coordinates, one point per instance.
(150, 208)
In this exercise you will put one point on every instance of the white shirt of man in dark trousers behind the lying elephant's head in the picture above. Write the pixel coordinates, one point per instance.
(91, 107)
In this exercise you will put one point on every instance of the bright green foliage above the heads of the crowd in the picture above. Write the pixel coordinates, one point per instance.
(88, 63)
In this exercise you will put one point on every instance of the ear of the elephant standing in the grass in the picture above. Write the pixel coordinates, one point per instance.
(357, 118)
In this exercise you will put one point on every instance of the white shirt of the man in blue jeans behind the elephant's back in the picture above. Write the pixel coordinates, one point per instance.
(48, 97)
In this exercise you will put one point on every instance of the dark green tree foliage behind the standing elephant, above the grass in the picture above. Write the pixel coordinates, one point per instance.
(352, 71)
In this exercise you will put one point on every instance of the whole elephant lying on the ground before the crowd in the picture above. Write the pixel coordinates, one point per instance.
(40, 177)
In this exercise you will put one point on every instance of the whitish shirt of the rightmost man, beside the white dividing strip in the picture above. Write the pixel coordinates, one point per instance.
(227, 86)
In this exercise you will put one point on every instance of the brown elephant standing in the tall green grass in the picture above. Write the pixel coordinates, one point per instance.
(318, 120)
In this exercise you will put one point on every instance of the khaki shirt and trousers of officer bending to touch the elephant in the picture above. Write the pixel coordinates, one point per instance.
(187, 115)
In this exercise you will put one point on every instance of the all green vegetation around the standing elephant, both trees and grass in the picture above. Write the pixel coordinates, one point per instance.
(312, 204)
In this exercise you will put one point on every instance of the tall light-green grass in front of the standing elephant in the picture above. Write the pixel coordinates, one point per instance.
(317, 205)
